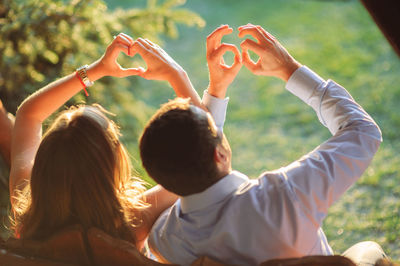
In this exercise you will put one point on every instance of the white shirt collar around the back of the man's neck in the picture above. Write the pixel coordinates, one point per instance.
(214, 194)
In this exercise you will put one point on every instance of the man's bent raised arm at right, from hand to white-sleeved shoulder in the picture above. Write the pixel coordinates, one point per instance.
(322, 176)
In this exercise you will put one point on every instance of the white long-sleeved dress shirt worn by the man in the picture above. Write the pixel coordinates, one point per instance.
(245, 222)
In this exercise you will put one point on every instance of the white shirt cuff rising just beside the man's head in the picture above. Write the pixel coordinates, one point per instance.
(217, 107)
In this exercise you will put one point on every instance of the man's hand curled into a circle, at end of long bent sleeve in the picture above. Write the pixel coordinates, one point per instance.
(274, 59)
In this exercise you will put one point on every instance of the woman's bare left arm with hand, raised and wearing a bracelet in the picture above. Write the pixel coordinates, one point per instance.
(41, 104)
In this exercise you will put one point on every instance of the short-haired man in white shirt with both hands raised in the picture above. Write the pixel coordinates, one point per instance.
(223, 214)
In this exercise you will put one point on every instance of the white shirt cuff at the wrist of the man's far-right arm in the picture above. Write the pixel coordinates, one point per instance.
(303, 82)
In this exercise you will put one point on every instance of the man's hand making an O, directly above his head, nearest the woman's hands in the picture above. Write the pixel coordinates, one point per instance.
(221, 75)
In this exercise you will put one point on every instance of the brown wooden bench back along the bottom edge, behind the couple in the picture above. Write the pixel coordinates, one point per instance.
(76, 246)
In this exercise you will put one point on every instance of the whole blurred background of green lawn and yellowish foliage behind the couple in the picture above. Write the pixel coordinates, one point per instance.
(267, 126)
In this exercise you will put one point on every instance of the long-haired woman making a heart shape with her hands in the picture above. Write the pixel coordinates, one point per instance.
(79, 172)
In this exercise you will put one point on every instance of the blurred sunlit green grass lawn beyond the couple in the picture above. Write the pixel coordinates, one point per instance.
(268, 127)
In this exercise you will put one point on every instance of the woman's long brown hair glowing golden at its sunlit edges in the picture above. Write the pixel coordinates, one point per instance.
(81, 175)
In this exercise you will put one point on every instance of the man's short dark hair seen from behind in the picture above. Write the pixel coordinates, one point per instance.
(177, 148)
